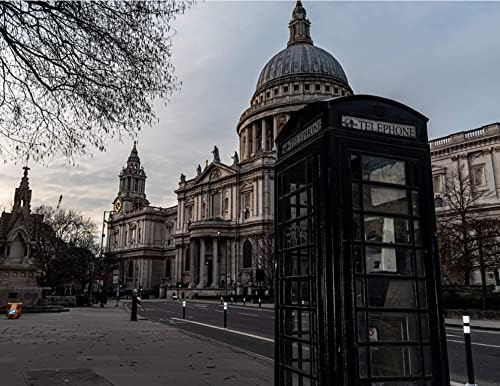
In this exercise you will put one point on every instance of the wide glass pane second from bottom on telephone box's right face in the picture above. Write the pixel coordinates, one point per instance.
(392, 327)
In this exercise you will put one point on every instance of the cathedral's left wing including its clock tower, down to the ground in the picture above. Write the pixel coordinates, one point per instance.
(140, 236)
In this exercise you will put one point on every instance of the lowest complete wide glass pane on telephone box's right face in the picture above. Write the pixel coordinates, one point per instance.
(394, 361)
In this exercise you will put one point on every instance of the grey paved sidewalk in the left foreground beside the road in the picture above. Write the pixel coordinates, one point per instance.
(101, 346)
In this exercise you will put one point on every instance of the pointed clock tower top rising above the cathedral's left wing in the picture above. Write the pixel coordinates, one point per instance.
(132, 192)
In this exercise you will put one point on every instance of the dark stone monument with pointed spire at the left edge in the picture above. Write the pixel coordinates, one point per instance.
(18, 234)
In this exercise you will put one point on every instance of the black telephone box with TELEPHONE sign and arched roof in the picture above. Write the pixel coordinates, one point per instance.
(358, 282)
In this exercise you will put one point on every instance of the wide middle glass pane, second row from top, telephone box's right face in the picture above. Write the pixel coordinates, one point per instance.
(385, 200)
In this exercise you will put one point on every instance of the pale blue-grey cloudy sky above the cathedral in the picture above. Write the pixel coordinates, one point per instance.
(441, 58)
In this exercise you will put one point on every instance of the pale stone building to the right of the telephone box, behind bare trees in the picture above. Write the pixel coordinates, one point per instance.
(475, 154)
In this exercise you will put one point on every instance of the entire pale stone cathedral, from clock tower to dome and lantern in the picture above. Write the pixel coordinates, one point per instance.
(222, 210)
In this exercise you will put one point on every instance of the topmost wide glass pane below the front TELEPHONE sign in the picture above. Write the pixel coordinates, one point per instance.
(383, 170)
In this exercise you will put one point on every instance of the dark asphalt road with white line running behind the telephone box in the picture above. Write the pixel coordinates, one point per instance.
(256, 333)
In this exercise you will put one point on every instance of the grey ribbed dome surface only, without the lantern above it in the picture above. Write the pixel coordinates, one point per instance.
(302, 58)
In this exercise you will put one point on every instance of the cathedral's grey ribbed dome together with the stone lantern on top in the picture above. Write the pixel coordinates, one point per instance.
(301, 57)
